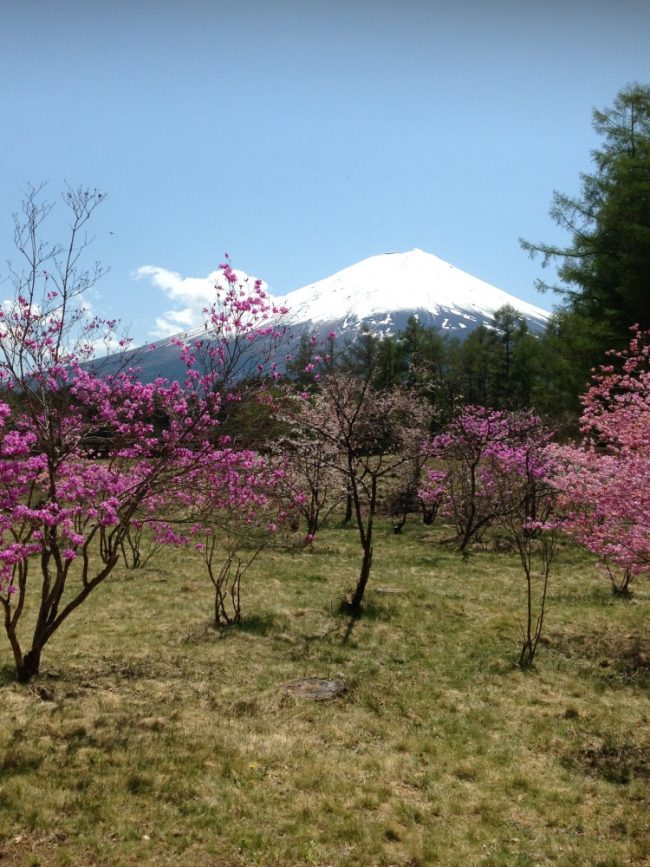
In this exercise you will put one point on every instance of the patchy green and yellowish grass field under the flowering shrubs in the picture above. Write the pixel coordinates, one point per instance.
(151, 738)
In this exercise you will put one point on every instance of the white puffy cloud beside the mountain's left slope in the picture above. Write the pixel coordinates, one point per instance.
(189, 295)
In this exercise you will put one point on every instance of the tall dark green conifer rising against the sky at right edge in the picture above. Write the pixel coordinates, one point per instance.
(605, 268)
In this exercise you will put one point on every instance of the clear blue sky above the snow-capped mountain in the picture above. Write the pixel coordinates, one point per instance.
(302, 136)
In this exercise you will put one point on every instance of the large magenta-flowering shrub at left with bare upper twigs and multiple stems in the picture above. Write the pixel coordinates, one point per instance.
(66, 514)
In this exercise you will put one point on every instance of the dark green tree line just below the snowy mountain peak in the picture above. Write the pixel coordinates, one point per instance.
(502, 366)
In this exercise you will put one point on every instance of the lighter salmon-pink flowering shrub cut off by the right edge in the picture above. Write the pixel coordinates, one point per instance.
(604, 483)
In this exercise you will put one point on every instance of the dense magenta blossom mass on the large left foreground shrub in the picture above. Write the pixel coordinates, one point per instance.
(56, 497)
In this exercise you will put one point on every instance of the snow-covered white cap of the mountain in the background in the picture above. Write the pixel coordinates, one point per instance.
(410, 283)
